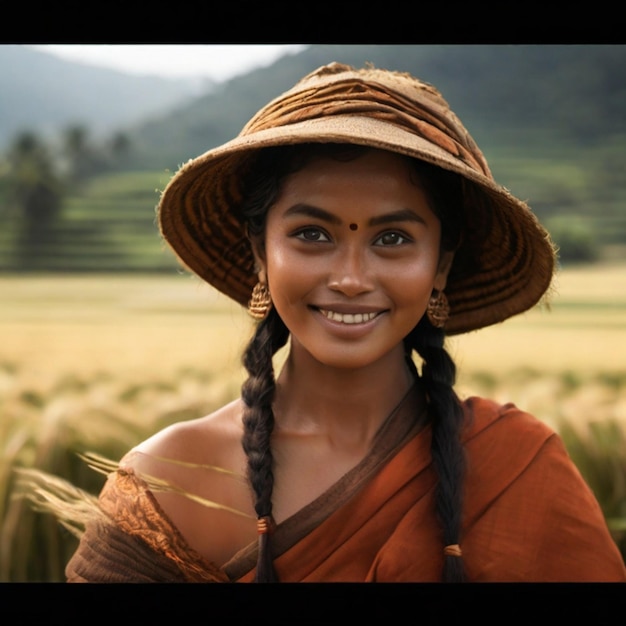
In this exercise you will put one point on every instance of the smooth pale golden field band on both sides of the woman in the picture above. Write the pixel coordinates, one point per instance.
(155, 324)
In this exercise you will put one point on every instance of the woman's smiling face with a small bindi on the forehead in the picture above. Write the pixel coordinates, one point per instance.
(351, 257)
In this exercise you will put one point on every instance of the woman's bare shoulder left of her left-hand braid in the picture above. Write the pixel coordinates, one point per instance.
(203, 460)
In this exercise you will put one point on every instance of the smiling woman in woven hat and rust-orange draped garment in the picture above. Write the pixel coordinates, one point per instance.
(359, 222)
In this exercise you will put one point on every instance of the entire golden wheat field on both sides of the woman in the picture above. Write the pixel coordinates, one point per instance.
(97, 363)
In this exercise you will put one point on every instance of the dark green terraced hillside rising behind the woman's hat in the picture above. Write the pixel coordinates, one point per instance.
(551, 120)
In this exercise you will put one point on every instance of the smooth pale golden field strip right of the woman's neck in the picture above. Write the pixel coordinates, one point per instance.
(584, 331)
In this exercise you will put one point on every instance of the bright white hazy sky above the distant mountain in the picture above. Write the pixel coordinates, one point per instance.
(216, 61)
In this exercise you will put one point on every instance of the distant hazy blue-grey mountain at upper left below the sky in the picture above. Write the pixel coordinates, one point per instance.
(42, 93)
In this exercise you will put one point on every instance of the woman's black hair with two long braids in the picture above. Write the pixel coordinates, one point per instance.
(261, 187)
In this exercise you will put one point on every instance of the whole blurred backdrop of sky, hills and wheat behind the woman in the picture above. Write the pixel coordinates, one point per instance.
(104, 339)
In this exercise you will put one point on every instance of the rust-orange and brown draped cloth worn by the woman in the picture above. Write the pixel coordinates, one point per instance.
(528, 517)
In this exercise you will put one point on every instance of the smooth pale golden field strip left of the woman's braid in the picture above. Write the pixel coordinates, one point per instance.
(127, 325)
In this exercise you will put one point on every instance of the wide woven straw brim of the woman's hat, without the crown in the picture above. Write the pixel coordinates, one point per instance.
(504, 266)
